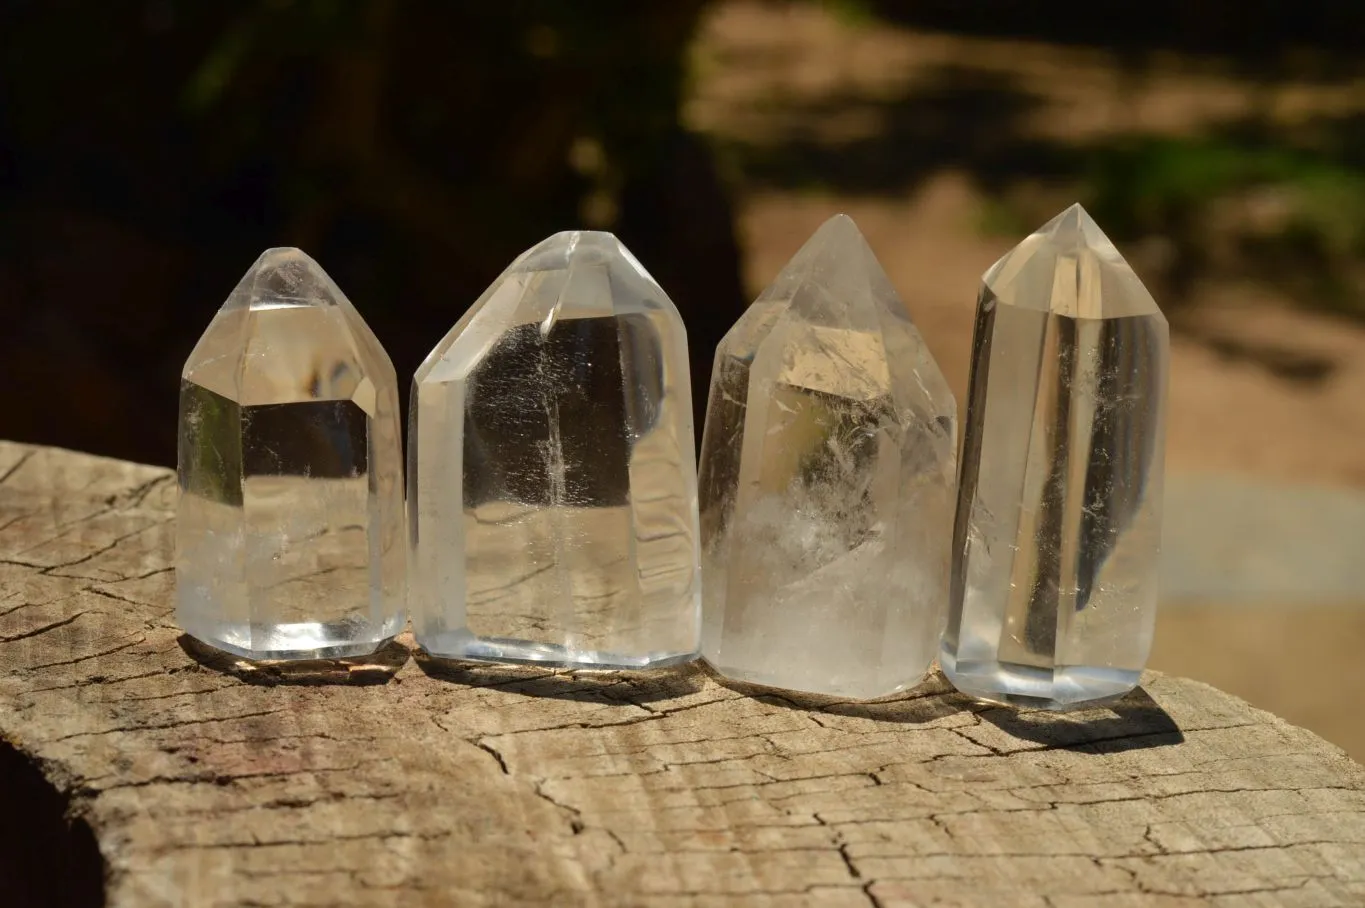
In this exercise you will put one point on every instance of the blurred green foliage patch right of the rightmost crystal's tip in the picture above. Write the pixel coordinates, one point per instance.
(1282, 210)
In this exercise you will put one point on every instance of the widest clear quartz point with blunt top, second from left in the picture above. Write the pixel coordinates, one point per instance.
(552, 468)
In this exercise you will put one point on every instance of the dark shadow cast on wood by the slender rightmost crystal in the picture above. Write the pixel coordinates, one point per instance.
(1131, 723)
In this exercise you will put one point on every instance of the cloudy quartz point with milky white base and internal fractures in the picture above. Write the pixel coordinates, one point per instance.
(827, 484)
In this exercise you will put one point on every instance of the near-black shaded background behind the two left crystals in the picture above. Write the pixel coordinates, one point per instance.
(151, 150)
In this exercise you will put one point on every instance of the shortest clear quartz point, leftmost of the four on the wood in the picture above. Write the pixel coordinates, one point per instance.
(290, 525)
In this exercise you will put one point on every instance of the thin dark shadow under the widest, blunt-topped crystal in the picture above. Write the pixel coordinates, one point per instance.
(608, 689)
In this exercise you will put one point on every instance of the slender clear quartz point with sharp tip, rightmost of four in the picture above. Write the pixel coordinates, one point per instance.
(1059, 518)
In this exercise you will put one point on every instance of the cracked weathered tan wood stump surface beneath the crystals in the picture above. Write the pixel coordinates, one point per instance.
(207, 783)
